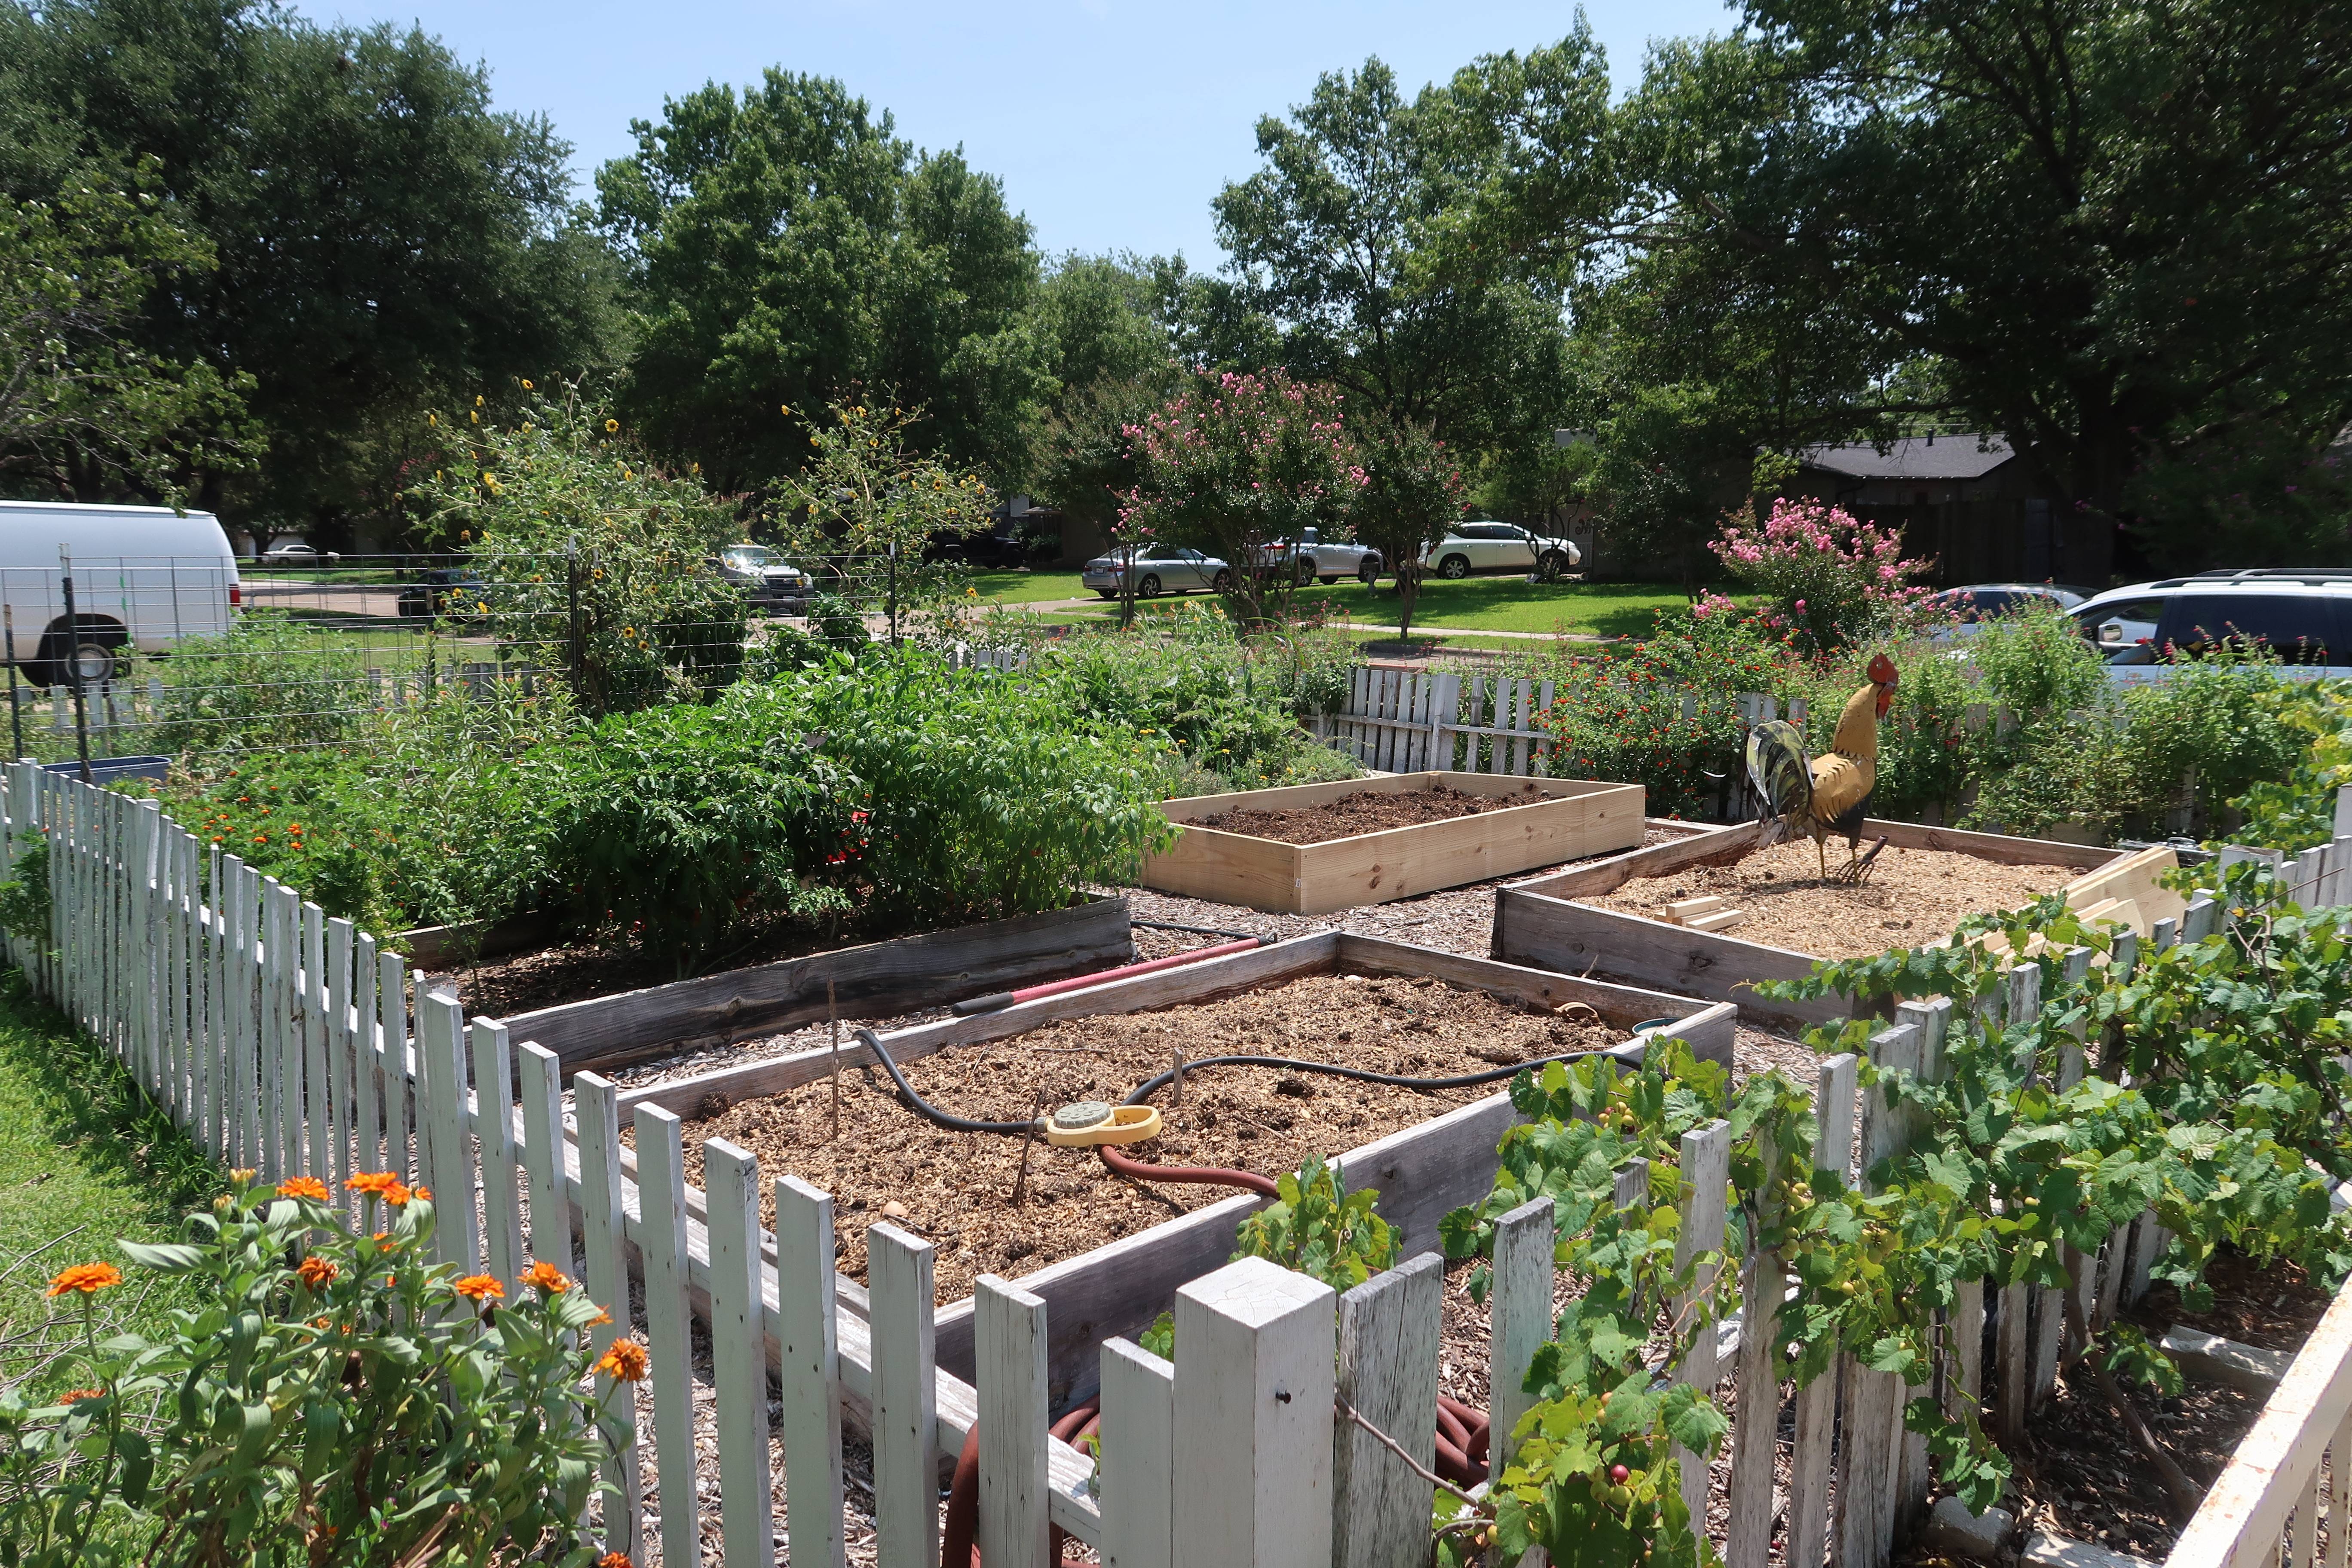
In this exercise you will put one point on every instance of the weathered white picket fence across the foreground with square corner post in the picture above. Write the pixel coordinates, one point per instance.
(290, 1043)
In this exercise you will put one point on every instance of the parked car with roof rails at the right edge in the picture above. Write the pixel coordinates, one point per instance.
(2301, 617)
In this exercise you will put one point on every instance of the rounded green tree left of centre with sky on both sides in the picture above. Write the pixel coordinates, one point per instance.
(789, 250)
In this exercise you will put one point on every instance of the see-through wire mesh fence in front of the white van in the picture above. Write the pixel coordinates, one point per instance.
(131, 662)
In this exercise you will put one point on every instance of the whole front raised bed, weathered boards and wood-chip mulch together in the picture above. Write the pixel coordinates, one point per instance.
(1121, 1252)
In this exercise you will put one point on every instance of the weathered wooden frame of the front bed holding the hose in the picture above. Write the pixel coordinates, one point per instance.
(1422, 1172)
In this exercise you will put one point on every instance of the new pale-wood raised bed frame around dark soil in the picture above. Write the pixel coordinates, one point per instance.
(1579, 819)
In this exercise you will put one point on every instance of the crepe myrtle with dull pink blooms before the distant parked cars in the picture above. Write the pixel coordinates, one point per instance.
(1238, 464)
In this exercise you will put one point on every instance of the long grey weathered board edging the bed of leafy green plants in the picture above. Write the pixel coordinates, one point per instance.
(897, 977)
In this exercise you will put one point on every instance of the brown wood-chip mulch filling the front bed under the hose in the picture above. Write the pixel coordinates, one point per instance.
(956, 1188)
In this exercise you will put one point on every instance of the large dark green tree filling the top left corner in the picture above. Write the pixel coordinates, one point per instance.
(385, 239)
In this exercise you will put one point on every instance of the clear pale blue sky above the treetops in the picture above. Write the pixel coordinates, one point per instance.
(1111, 126)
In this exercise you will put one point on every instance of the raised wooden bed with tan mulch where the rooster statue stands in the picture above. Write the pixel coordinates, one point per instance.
(1561, 923)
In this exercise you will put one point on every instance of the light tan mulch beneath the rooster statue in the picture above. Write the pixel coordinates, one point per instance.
(1911, 897)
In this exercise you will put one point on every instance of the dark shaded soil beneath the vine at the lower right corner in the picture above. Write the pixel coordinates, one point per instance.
(2080, 1473)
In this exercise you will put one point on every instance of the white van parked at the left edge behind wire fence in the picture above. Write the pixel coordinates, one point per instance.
(145, 577)
